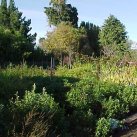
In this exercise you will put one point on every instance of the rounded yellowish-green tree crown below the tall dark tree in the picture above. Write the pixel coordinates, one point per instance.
(64, 38)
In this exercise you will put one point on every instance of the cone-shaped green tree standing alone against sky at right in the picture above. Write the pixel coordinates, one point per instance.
(113, 33)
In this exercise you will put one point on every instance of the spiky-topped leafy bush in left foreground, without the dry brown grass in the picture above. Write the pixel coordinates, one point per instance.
(39, 103)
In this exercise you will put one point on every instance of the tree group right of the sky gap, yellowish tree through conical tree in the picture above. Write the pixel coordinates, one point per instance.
(110, 39)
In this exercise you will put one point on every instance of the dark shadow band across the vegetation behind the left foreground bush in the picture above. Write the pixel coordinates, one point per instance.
(55, 86)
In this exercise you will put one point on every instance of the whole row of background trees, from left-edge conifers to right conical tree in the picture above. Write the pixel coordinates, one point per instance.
(18, 44)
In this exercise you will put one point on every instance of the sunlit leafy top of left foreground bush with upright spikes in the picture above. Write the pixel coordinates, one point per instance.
(36, 101)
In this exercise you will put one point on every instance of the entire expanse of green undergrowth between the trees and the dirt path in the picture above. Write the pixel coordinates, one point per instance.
(82, 100)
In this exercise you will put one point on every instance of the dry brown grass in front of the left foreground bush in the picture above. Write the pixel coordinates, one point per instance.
(34, 125)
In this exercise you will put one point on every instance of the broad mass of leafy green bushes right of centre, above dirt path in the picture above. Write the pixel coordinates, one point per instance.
(103, 99)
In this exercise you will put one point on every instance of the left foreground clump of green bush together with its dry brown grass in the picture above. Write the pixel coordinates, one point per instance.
(35, 114)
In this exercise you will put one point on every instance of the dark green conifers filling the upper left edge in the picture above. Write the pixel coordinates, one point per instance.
(16, 42)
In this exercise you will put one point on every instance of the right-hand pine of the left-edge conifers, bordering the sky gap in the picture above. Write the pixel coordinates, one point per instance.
(24, 42)
